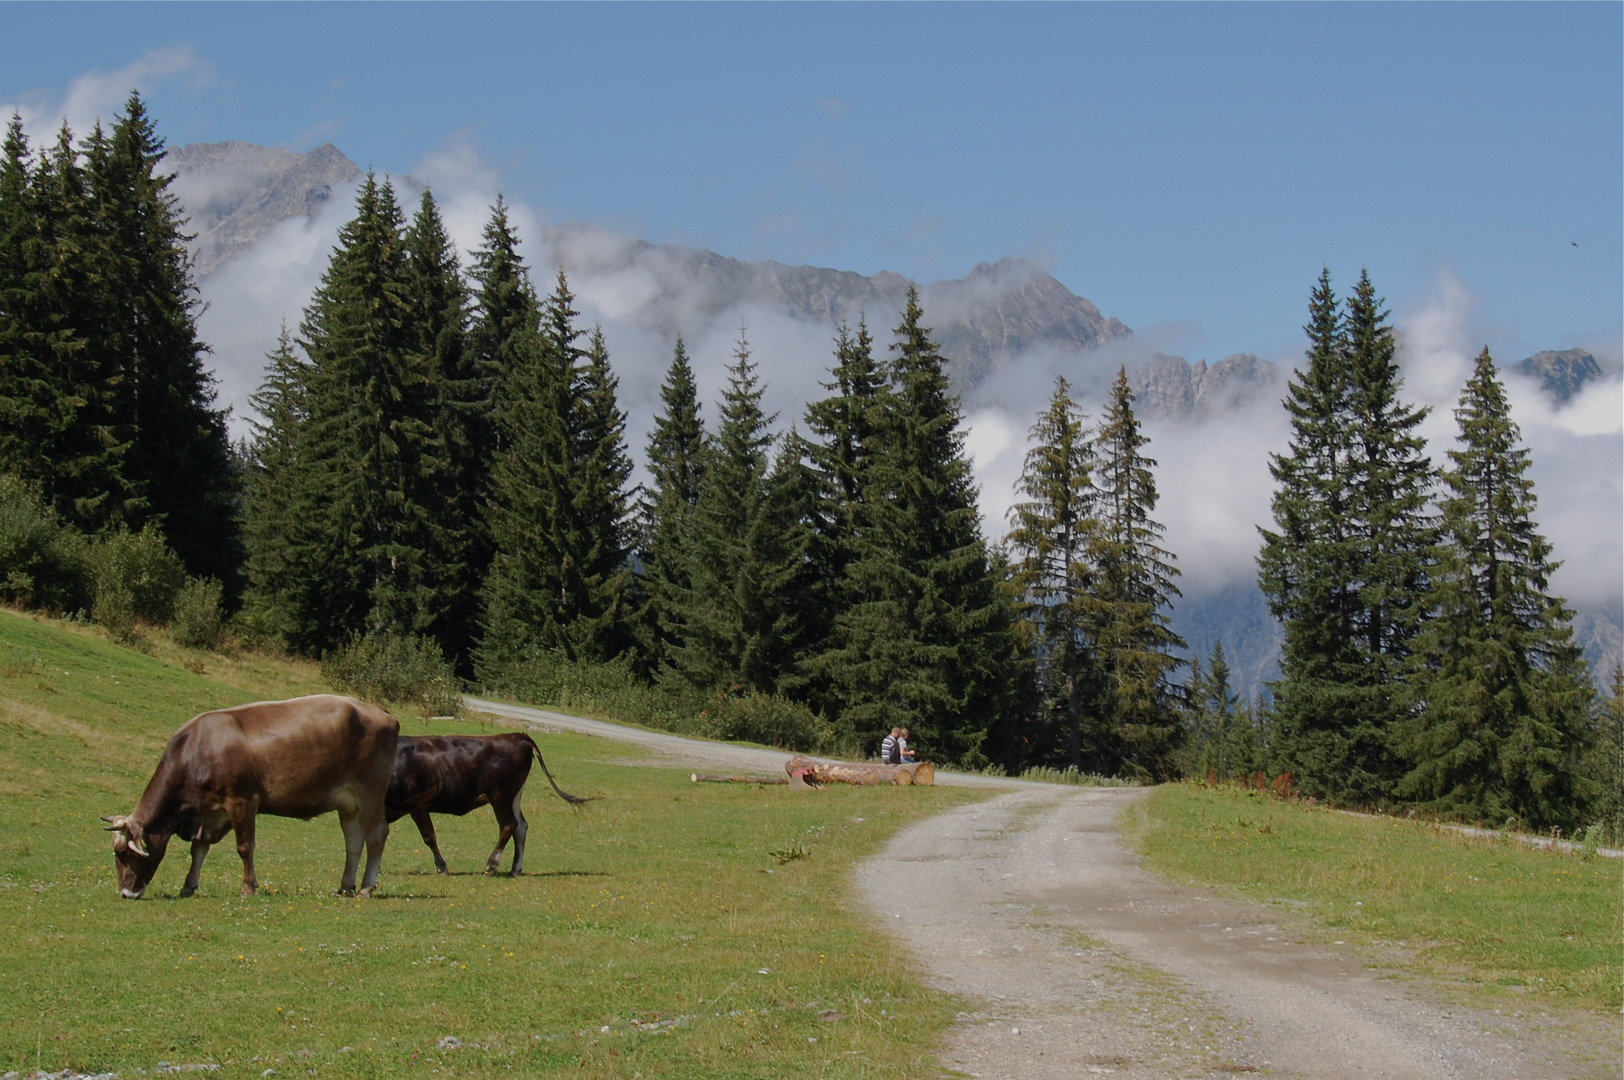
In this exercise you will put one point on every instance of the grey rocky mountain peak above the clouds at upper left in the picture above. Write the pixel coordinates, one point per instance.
(235, 192)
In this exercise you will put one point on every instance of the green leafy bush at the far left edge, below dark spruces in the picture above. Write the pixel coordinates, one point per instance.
(41, 559)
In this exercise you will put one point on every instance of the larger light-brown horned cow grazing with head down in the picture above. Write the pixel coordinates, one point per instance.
(293, 759)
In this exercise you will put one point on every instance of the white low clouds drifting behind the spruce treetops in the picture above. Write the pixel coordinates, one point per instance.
(1212, 469)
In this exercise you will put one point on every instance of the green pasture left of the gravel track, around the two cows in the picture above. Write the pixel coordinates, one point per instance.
(652, 912)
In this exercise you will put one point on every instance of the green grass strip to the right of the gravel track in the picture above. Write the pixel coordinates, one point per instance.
(1493, 920)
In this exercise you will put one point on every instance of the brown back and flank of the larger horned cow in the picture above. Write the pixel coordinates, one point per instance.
(301, 758)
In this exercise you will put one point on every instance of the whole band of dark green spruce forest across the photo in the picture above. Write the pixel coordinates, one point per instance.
(439, 473)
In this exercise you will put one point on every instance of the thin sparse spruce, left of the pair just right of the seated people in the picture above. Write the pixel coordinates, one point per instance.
(1053, 540)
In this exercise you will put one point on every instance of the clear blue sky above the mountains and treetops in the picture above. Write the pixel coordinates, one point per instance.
(1188, 168)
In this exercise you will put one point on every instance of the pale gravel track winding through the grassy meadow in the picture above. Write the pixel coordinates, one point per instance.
(1074, 962)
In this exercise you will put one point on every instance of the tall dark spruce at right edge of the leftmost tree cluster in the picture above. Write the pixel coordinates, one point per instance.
(179, 454)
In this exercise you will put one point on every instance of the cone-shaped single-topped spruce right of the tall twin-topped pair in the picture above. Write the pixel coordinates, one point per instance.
(1501, 714)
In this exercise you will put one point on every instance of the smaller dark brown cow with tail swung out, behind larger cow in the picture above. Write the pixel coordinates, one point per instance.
(459, 774)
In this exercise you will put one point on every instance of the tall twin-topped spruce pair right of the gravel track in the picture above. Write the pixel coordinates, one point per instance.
(1345, 566)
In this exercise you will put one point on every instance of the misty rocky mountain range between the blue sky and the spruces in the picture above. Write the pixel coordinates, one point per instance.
(266, 223)
